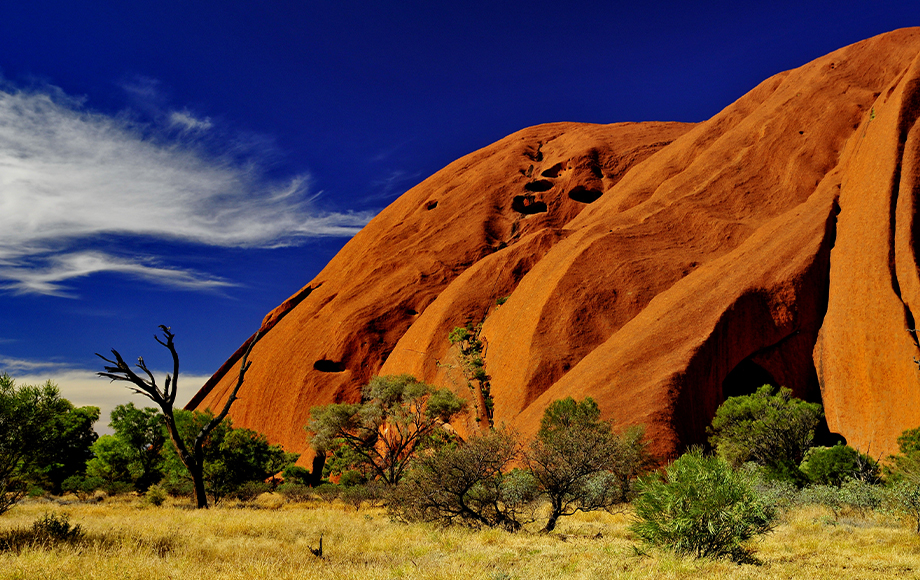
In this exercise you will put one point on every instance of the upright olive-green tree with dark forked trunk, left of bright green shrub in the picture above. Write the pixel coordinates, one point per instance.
(579, 463)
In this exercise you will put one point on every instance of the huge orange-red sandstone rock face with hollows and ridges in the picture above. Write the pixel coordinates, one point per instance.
(657, 267)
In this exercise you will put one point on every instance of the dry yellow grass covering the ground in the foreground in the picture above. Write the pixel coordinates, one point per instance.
(129, 540)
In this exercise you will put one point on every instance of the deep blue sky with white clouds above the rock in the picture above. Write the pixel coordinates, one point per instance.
(195, 163)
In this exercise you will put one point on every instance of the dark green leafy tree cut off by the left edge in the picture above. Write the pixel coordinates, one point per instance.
(44, 439)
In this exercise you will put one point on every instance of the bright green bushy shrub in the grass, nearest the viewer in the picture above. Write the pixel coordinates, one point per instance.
(702, 508)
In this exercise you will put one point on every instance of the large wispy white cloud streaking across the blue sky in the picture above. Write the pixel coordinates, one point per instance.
(69, 175)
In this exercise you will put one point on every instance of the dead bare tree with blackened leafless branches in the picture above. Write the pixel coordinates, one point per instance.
(165, 398)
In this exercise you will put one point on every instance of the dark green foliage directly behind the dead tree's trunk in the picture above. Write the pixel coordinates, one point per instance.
(231, 457)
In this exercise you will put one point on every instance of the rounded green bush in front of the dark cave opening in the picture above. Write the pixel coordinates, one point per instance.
(773, 430)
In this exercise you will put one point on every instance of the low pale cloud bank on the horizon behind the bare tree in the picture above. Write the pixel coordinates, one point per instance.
(83, 387)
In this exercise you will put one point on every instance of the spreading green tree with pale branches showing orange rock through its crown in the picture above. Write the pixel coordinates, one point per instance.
(400, 416)
